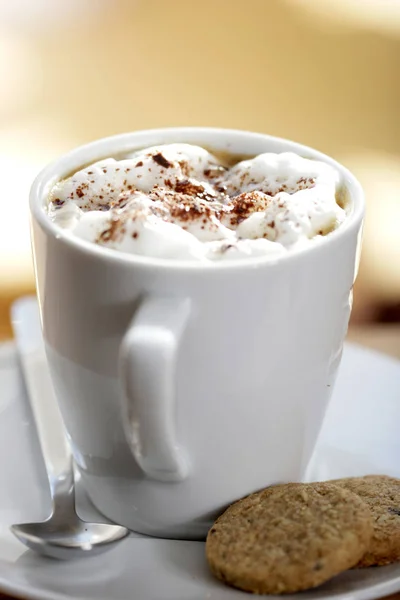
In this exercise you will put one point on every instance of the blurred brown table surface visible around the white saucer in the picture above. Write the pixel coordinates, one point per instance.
(384, 338)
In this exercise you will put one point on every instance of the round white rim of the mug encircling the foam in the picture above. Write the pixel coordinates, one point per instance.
(128, 142)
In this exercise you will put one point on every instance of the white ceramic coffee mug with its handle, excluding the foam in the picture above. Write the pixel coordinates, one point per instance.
(184, 385)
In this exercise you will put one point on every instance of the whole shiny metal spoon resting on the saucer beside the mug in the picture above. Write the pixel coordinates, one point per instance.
(63, 535)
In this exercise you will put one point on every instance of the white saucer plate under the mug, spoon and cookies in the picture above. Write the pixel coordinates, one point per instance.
(360, 436)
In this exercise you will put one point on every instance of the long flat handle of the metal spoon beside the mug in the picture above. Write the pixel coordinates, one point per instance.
(50, 428)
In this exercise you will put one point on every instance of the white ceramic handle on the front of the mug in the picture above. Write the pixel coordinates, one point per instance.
(147, 364)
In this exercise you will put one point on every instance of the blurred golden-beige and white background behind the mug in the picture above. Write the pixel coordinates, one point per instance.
(323, 73)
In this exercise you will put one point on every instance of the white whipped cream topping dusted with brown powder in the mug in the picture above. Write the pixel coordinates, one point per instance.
(178, 201)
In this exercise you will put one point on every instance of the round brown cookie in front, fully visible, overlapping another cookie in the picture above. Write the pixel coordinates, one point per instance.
(289, 538)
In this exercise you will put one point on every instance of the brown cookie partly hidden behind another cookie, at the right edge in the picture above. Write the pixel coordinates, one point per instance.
(382, 496)
